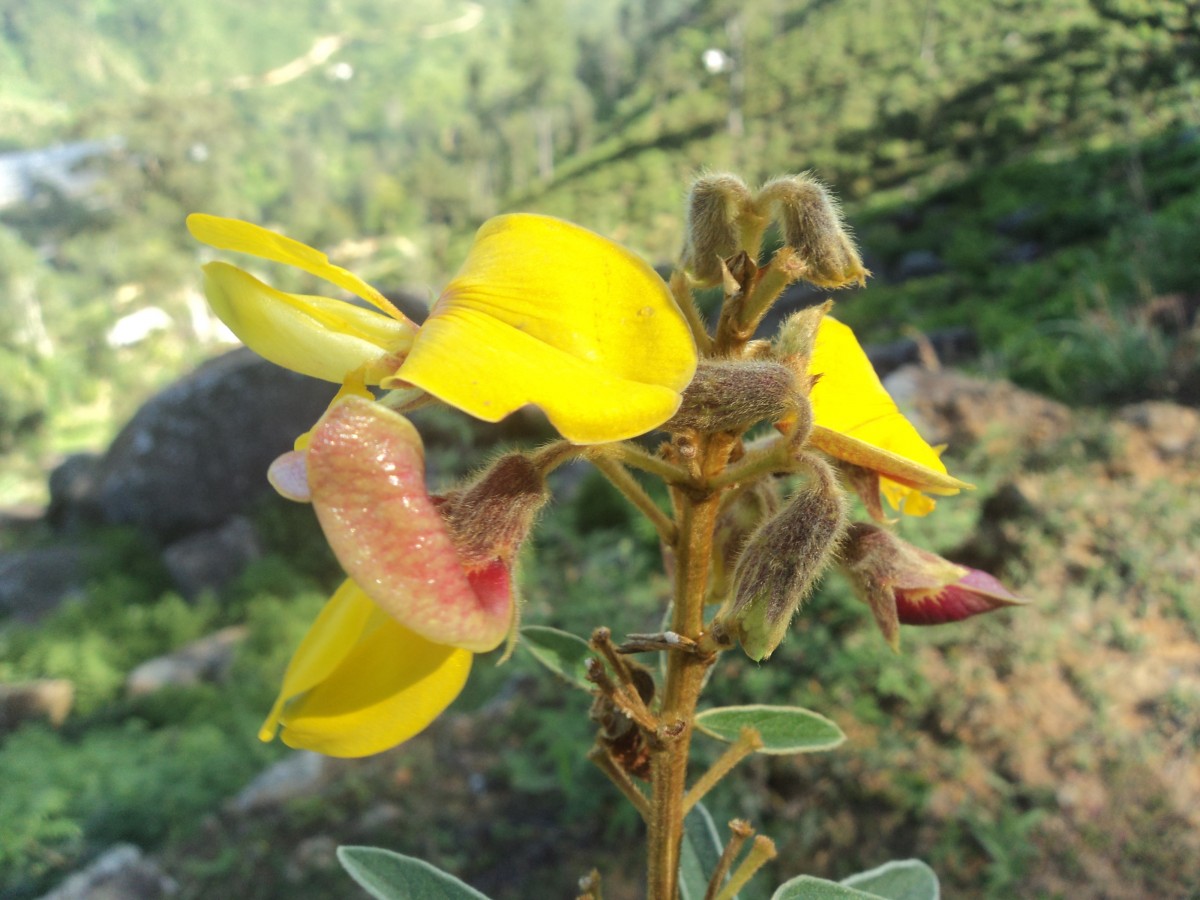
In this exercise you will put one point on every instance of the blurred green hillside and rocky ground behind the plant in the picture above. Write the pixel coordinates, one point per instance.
(1024, 178)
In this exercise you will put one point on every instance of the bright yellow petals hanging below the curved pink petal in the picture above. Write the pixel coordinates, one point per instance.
(362, 683)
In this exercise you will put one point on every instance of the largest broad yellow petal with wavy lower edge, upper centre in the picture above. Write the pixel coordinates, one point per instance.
(549, 314)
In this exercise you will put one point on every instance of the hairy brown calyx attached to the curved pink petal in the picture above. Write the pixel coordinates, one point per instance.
(490, 518)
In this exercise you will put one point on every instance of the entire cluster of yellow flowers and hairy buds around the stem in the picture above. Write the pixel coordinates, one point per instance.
(550, 315)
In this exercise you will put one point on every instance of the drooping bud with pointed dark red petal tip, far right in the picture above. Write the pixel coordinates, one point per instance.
(907, 585)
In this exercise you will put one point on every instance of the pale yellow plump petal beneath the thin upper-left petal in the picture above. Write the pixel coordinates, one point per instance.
(313, 335)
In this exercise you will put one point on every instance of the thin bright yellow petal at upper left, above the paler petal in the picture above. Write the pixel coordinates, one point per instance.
(245, 238)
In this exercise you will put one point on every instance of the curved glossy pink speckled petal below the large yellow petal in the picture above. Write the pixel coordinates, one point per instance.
(367, 471)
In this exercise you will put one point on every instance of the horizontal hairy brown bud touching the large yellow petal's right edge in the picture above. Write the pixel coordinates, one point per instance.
(733, 395)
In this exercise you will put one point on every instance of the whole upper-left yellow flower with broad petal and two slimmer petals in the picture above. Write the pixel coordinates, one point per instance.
(542, 313)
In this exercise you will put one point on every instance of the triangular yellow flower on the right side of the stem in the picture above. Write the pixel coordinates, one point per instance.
(857, 422)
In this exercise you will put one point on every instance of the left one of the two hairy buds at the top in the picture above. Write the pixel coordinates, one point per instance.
(718, 208)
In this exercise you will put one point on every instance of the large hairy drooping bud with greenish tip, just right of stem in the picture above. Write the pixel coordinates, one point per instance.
(782, 563)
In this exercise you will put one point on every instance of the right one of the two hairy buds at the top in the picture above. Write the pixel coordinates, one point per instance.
(814, 229)
